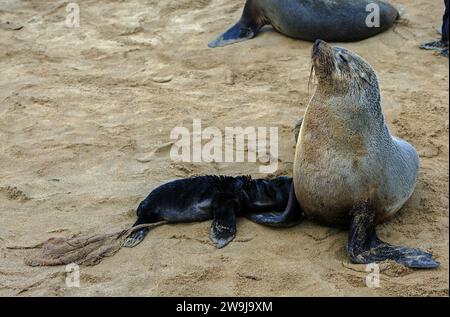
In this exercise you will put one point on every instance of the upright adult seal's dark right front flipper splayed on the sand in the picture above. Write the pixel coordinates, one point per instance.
(365, 247)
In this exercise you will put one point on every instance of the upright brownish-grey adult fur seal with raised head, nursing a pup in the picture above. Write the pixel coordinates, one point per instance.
(348, 168)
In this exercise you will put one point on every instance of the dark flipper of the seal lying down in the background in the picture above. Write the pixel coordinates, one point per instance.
(247, 27)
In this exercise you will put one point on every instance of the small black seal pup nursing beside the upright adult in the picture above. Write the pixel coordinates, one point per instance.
(220, 198)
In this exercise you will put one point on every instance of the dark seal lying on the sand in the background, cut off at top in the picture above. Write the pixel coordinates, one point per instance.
(340, 21)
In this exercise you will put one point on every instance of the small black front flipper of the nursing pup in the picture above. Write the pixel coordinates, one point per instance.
(223, 227)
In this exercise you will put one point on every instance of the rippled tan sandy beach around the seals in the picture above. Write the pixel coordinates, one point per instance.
(85, 121)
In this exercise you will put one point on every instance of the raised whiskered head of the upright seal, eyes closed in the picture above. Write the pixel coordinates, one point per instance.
(341, 70)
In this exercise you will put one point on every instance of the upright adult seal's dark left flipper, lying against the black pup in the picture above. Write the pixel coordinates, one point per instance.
(291, 216)
